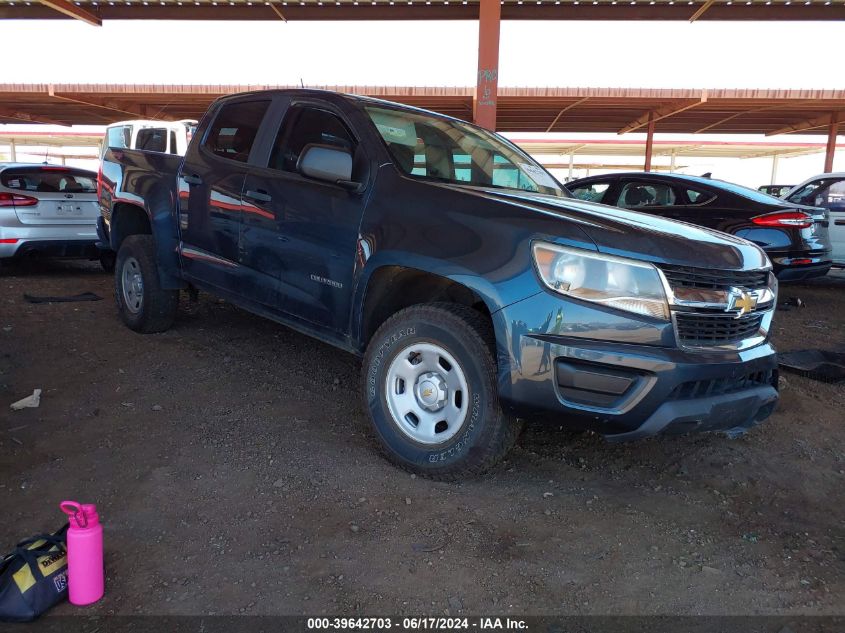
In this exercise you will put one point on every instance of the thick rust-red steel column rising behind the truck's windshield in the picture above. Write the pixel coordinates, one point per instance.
(487, 85)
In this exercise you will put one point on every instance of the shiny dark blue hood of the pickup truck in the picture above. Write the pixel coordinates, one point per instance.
(637, 235)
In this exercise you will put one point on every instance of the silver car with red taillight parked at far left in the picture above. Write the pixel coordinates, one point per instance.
(49, 210)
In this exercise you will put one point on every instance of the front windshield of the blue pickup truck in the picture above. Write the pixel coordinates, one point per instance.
(447, 150)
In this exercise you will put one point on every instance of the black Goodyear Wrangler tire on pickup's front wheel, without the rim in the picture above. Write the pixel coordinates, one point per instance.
(486, 434)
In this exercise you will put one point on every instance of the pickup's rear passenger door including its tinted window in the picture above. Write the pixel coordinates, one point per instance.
(210, 187)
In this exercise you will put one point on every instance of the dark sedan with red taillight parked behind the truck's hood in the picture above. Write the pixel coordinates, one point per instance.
(795, 237)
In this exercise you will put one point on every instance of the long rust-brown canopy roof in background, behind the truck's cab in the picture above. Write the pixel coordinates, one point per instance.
(618, 110)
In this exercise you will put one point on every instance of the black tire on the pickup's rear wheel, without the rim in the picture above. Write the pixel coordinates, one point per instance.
(156, 310)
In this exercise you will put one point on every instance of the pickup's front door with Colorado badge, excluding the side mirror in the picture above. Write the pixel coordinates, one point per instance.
(300, 231)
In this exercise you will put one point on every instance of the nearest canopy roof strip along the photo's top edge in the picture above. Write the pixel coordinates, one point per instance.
(95, 11)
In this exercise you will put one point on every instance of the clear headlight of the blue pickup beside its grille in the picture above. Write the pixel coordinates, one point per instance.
(616, 282)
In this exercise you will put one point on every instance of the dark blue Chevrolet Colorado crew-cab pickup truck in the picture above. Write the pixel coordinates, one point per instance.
(477, 290)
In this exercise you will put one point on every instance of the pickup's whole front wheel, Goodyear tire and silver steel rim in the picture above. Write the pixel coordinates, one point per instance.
(429, 379)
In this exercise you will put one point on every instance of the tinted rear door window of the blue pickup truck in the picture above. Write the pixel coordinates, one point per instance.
(234, 129)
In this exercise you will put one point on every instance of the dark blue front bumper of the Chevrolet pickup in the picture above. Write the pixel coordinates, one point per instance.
(634, 385)
